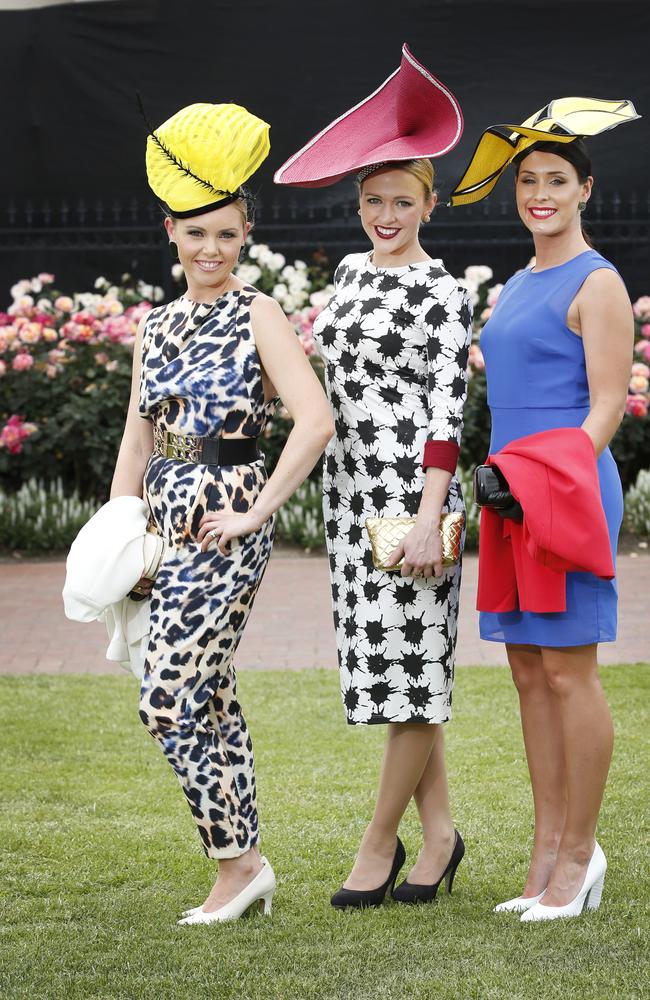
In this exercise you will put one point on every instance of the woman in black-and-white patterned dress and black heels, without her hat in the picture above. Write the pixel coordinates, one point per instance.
(395, 340)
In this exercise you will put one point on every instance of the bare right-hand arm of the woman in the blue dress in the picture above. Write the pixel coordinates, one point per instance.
(607, 329)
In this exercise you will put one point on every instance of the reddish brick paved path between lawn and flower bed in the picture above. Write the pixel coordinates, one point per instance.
(290, 625)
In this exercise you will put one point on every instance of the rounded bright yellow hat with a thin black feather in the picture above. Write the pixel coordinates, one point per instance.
(198, 159)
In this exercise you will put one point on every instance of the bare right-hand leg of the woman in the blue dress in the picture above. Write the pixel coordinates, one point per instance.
(588, 737)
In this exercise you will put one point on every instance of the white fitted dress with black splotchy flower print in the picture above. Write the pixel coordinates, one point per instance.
(395, 343)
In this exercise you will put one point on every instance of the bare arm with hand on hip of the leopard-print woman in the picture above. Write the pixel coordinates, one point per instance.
(285, 364)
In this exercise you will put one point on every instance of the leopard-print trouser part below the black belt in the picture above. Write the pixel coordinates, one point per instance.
(199, 607)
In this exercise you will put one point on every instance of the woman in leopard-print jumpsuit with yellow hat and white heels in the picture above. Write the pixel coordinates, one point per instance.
(208, 368)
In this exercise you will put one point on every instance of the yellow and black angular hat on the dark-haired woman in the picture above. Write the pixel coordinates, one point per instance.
(563, 120)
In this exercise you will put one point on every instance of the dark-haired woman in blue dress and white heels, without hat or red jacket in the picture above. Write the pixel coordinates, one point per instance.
(557, 351)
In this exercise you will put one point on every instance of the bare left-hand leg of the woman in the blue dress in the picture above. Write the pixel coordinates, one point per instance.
(543, 740)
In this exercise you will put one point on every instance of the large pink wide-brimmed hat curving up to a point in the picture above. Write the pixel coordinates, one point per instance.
(412, 115)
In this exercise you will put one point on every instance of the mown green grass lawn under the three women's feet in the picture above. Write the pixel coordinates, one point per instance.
(99, 855)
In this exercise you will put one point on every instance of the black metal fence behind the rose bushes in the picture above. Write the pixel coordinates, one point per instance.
(79, 240)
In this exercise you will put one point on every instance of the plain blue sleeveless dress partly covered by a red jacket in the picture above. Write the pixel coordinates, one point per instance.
(537, 380)
